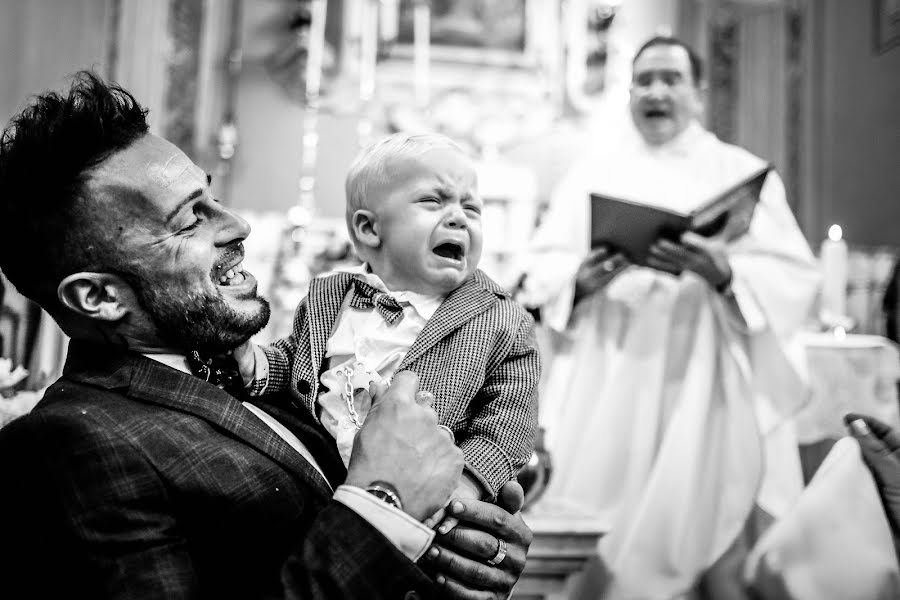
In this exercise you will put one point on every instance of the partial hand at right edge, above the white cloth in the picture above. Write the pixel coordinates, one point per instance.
(880, 447)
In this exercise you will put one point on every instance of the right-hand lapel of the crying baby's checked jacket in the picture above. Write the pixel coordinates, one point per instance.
(463, 304)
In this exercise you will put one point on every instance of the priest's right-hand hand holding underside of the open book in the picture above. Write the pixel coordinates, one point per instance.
(705, 257)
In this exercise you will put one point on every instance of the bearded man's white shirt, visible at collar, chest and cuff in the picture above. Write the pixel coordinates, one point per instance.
(408, 535)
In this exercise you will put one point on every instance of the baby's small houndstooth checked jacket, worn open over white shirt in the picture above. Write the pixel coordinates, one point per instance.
(477, 355)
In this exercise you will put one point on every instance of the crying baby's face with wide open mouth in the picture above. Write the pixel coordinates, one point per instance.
(429, 222)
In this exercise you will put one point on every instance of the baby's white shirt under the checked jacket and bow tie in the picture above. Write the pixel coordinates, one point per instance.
(363, 341)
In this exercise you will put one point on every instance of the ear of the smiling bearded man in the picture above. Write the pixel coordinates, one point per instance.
(100, 296)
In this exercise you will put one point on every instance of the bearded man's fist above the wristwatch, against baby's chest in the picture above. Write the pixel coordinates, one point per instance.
(401, 445)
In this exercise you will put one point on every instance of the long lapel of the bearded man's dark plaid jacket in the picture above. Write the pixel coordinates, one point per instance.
(146, 380)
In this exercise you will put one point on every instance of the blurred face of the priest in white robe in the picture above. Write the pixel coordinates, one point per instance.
(664, 96)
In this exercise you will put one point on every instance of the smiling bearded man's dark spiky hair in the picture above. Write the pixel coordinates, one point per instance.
(46, 154)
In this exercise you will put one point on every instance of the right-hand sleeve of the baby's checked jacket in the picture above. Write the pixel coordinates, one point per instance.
(500, 437)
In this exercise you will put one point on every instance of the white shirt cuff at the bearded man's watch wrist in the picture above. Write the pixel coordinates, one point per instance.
(411, 537)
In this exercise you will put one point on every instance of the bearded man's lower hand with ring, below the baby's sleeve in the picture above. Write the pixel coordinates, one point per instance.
(460, 556)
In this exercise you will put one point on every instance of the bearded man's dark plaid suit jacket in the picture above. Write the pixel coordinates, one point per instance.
(134, 480)
